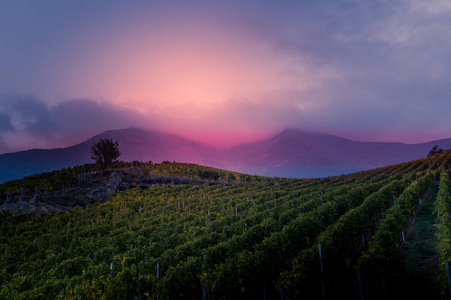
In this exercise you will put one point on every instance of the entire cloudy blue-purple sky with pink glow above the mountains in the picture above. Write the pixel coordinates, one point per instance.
(224, 72)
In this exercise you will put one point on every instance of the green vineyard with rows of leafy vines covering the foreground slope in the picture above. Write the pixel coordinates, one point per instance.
(243, 237)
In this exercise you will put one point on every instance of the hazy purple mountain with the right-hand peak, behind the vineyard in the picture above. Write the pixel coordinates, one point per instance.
(296, 153)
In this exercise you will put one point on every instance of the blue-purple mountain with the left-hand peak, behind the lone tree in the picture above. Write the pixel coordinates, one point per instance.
(134, 144)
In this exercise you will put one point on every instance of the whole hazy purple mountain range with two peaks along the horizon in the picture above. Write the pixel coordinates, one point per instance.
(291, 153)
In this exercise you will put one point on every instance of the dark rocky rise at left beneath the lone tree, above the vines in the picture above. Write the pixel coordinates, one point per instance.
(84, 185)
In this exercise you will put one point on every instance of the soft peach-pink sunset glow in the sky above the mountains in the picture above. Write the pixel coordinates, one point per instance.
(189, 75)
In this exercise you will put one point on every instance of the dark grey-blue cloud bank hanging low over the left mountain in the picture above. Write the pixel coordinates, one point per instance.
(64, 124)
